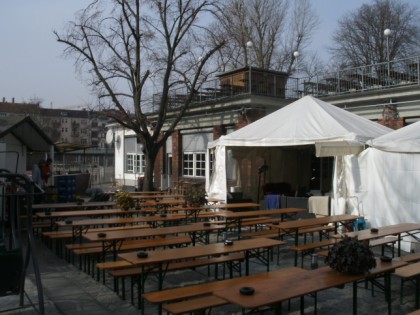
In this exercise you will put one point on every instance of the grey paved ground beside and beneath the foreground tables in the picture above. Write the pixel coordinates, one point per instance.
(71, 291)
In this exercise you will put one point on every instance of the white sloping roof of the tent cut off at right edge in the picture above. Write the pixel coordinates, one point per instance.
(404, 140)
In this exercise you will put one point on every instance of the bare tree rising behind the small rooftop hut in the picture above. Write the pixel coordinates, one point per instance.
(276, 28)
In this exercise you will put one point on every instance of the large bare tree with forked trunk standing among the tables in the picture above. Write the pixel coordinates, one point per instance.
(120, 43)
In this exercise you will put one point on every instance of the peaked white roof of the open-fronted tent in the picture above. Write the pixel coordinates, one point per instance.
(304, 122)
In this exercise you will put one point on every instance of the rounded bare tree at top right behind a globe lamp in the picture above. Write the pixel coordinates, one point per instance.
(360, 39)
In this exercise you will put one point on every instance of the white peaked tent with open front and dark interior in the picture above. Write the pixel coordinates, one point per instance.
(285, 141)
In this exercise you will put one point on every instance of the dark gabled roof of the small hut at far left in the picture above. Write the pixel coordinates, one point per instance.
(27, 132)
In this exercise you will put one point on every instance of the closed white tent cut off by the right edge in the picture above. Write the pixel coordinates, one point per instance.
(386, 178)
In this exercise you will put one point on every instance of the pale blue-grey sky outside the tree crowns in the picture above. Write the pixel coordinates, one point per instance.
(32, 65)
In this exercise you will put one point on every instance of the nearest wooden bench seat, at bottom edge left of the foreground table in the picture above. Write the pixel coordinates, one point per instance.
(194, 305)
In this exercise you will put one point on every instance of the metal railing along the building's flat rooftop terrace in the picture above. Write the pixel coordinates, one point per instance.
(384, 75)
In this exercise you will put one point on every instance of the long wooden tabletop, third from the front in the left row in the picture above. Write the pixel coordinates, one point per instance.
(127, 234)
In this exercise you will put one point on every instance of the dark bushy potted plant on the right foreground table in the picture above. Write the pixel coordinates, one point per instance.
(351, 256)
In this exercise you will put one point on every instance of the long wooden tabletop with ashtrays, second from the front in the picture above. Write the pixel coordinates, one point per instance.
(183, 253)
